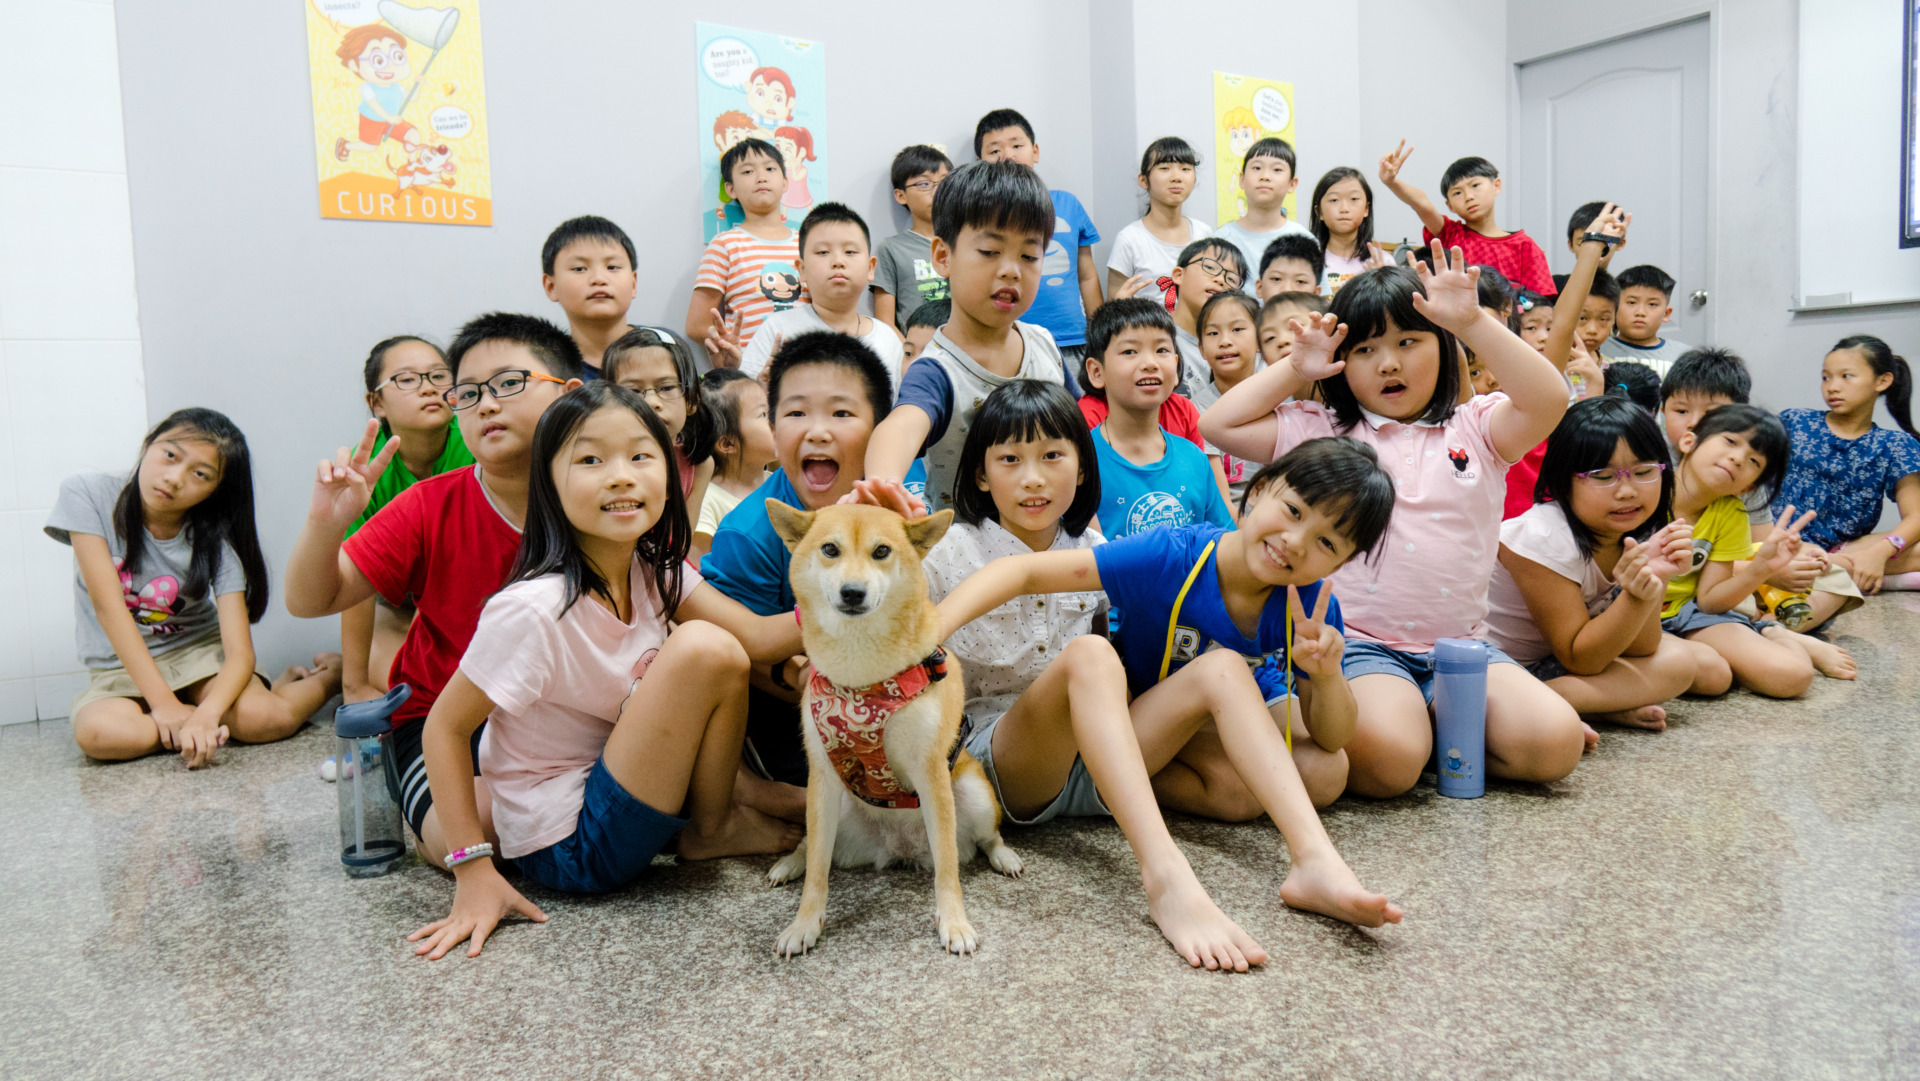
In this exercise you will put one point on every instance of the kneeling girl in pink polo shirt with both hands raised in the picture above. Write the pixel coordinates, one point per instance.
(1387, 364)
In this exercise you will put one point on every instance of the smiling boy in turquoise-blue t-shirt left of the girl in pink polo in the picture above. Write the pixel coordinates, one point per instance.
(1147, 479)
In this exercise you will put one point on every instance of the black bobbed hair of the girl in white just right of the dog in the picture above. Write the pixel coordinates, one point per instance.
(1022, 412)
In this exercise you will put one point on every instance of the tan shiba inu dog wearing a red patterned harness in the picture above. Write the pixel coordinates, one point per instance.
(882, 719)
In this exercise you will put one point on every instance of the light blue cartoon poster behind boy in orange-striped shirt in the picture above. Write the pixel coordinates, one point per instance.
(757, 85)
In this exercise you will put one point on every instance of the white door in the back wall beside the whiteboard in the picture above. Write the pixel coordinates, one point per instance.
(1625, 122)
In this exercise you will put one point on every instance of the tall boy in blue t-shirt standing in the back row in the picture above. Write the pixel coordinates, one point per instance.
(1070, 283)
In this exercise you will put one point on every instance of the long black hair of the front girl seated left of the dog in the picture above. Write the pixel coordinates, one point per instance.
(548, 542)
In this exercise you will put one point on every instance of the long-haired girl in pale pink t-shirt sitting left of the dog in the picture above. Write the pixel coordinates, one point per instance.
(608, 733)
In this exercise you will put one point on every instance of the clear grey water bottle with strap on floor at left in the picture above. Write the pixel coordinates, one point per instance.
(372, 832)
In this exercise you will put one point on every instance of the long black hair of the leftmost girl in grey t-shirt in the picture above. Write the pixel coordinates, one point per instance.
(224, 517)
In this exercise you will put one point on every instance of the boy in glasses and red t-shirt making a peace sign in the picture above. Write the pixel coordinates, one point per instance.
(450, 540)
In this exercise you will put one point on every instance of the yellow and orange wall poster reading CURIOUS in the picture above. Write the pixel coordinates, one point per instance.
(400, 110)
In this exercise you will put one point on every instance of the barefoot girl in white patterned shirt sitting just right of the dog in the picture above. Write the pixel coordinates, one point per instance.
(1047, 704)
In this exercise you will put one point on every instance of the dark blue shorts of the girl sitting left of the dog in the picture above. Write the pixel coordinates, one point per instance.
(612, 846)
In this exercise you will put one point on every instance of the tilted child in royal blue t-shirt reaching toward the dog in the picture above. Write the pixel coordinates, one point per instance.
(1218, 631)
